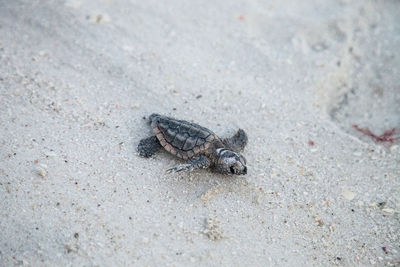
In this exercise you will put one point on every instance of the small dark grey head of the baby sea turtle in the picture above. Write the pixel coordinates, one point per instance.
(229, 162)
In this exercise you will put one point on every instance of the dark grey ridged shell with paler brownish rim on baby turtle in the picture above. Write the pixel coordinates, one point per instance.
(181, 138)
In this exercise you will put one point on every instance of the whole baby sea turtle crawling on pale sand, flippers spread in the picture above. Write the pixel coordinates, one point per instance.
(199, 145)
